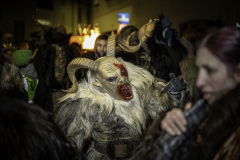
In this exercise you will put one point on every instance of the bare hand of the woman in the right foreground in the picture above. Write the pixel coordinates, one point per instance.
(175, 122)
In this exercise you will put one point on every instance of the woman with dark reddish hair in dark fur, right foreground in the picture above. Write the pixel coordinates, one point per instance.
(218, 136)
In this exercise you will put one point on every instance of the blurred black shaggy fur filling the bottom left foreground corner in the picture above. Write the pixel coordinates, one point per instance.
(27, 132)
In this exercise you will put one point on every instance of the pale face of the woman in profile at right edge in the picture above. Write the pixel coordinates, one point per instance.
(214, 78)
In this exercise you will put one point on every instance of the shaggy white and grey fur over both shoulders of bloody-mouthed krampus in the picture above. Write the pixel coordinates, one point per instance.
(76, 113)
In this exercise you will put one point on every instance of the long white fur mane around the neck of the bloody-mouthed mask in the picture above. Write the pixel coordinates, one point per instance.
(133, 112)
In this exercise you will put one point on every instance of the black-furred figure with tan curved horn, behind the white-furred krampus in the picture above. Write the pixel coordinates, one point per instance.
(161, 51)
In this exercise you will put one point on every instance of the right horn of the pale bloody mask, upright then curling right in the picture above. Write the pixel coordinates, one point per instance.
(115, 39)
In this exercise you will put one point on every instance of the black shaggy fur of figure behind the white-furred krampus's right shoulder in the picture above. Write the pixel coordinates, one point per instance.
(166, 51)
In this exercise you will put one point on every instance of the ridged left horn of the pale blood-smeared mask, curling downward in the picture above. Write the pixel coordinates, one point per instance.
(76, 64)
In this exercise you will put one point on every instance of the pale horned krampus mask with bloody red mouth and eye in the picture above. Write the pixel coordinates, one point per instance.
(111, 75)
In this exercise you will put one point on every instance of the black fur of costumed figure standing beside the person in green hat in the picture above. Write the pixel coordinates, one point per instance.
(44, 63)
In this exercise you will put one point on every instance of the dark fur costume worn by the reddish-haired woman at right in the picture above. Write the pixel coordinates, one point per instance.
(217, 138)
